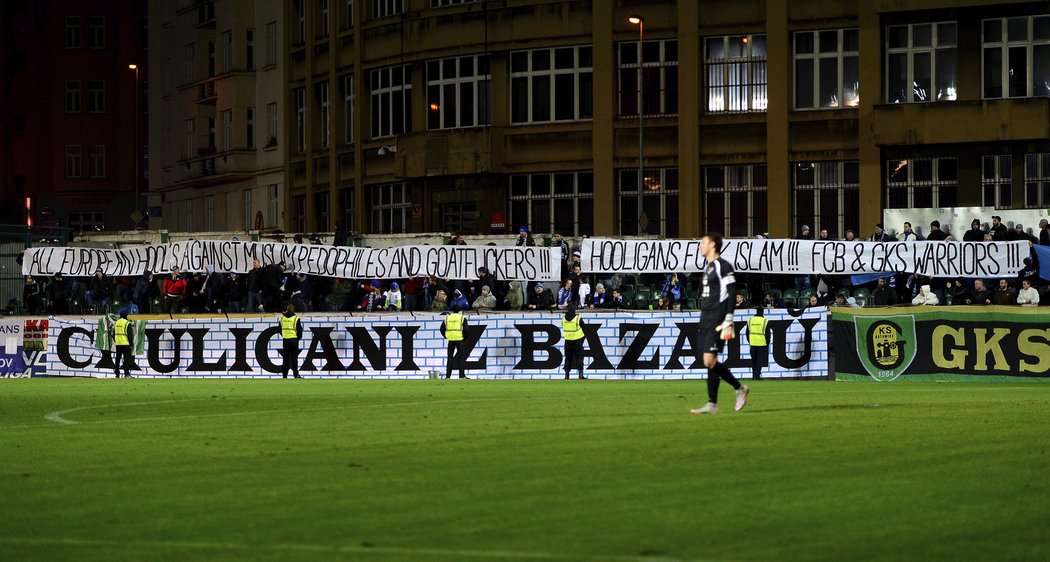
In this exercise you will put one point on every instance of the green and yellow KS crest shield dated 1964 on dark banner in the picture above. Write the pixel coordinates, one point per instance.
(887, 345)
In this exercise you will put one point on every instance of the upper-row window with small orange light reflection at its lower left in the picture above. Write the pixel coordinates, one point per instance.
(458, 93)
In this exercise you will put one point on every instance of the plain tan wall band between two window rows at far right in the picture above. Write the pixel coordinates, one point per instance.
(962, 122)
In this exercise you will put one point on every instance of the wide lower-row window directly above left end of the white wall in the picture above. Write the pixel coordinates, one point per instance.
(922, 183)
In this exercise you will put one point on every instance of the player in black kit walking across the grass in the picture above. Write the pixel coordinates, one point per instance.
(717, 322)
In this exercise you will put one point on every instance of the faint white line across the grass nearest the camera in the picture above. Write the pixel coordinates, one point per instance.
(358, 550)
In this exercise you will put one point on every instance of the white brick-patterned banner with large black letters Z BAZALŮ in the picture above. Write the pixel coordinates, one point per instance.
(619, 346)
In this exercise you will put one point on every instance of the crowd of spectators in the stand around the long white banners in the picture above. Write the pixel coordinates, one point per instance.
(271, 287)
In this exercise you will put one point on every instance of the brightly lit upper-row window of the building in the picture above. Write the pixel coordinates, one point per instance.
(734, 70)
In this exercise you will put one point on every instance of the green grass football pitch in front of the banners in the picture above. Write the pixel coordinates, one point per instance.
(561, 471)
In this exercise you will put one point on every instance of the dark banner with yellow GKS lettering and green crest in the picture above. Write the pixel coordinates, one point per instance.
(990, 343)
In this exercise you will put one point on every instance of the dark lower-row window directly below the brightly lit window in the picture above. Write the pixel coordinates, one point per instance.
(736, 200)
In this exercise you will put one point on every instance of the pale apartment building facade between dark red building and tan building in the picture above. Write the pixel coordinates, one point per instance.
(218, 129)
